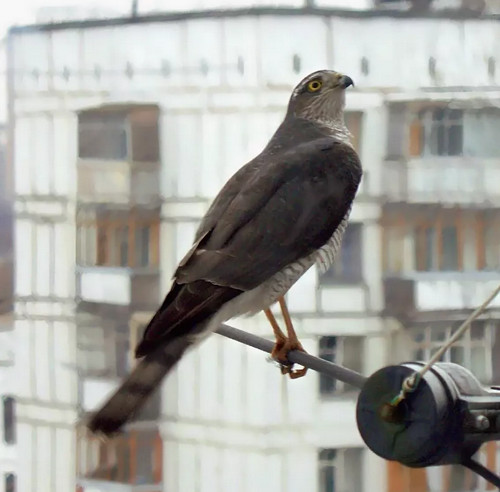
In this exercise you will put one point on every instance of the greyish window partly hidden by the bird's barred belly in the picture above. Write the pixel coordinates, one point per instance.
(347, 267)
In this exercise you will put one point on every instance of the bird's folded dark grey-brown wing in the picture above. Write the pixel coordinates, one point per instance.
(284, 210)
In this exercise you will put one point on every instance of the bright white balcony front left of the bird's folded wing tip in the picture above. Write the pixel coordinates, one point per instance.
(123, 286)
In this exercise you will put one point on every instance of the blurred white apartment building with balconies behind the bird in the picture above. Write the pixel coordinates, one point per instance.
(123, 130)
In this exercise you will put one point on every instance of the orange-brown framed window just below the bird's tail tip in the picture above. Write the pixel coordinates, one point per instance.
(134, 457)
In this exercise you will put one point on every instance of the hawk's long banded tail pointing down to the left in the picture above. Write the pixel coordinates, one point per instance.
(138, 387)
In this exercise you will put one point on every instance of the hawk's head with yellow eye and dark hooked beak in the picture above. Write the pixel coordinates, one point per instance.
(320, 97)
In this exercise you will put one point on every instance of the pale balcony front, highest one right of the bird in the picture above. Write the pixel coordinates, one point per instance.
(445, 180)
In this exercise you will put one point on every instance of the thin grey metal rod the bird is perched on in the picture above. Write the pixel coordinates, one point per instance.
(307, 360)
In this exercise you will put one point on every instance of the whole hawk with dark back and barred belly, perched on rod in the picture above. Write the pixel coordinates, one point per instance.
(281, 213)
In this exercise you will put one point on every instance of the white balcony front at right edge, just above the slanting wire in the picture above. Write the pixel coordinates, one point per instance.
(439, 291)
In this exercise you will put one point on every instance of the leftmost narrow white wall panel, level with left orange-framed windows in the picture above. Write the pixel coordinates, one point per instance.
(24, 239)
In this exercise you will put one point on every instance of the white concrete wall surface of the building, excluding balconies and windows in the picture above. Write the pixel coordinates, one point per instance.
(246, 420)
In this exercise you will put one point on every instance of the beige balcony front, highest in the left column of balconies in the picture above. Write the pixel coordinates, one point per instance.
(118, 182)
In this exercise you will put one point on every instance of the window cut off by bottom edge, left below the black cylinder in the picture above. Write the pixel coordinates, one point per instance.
(340, 470)
